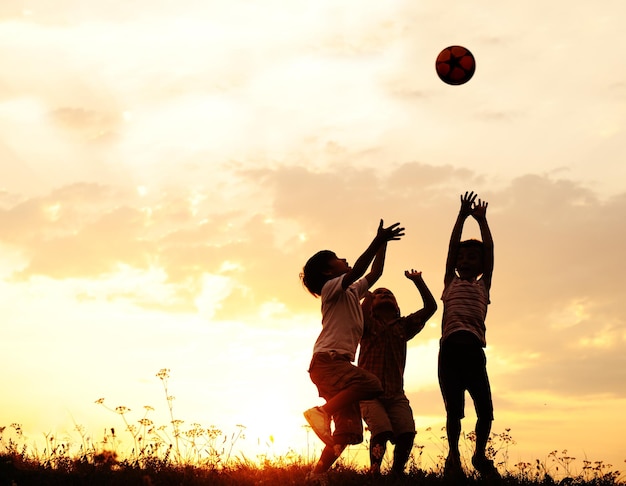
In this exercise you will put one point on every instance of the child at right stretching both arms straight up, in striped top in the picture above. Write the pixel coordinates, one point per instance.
(462, 361)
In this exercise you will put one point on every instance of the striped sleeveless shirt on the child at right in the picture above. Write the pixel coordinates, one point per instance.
(465, 308)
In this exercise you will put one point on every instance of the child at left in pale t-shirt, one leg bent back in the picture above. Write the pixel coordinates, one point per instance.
(340, 382)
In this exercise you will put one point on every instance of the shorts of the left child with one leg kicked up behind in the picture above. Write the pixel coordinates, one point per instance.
(332, 372)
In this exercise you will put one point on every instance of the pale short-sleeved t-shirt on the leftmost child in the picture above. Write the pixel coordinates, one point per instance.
(342, 317)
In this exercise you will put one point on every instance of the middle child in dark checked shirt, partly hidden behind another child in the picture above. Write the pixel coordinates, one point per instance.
(383, 352)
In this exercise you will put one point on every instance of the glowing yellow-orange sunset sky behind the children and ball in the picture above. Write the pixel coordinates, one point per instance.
(167, 167)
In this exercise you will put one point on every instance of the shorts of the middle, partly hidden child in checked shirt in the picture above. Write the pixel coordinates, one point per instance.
(389, 414)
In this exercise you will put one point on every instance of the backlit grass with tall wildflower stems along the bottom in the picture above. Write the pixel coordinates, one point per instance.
(196, 455)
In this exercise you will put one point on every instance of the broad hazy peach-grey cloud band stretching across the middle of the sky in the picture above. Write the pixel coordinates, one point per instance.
(553, 233)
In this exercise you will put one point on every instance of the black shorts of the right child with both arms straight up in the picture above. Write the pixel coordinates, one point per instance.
(463, 366)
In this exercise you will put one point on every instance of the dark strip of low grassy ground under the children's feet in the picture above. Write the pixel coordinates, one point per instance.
(16, 471)
